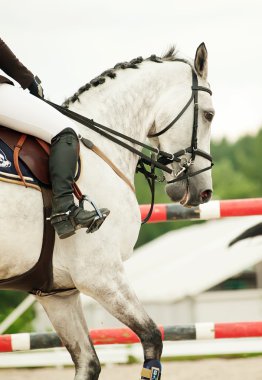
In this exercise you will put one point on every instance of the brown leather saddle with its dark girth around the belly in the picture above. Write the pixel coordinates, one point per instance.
(34, 154)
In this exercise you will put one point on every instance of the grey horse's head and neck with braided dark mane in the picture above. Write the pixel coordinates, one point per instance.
(167, 100)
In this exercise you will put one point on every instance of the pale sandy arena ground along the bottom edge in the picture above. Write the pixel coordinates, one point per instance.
(212, 369)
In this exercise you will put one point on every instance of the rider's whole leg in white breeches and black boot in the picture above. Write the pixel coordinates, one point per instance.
(27, 114)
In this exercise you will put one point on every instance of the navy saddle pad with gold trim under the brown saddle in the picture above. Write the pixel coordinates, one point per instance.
(8, 172)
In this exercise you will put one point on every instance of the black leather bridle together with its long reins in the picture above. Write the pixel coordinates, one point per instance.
(159, 159)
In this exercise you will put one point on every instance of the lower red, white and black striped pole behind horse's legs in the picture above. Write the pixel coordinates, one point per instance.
(197, 331)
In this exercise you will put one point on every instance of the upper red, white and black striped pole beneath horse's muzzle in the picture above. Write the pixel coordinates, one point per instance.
(210, 210)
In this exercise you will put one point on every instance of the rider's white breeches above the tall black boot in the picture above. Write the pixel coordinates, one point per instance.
(28, 114)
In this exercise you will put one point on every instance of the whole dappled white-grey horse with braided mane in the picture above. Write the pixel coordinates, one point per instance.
(138, 101)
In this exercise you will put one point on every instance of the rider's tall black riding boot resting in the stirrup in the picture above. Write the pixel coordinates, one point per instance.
(66, 217)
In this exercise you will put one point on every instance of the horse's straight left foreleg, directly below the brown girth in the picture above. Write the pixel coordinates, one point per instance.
(66, 315)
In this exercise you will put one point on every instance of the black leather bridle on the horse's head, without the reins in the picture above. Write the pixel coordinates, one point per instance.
(185, 163)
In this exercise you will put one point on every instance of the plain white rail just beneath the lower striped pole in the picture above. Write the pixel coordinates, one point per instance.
(121, 354)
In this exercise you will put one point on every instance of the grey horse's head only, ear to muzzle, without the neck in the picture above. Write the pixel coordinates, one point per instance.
(187, 135)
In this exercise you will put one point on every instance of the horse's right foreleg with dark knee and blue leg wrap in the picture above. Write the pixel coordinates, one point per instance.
(115, 294)
